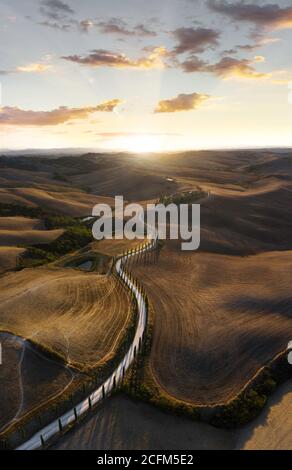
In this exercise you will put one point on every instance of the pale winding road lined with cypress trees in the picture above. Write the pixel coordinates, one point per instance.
(54, 428)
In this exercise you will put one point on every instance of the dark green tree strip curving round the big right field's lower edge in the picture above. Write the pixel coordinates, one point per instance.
(238, 412)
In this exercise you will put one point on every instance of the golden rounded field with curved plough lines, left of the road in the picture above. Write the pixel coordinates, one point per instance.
(81, 316)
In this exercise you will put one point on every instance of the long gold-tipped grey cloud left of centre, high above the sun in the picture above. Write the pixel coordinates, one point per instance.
(105, 58)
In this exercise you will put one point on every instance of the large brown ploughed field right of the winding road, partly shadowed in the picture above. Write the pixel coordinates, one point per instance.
(218, 319)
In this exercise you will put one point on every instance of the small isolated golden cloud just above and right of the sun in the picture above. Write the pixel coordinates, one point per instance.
(183, 102)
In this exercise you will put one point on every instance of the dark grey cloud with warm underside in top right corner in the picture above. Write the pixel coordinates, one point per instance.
(269, 16)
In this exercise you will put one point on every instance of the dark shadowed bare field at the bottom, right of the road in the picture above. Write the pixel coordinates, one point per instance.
(122, 424)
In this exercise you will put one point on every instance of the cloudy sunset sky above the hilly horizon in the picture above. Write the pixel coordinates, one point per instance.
(142, 76)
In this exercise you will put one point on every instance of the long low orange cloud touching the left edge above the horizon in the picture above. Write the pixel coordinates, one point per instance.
(14, 116)
